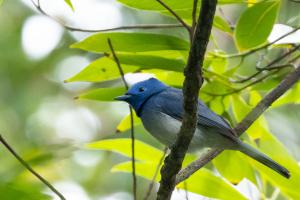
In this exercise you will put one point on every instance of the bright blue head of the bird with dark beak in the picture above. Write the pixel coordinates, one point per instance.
(141, 91)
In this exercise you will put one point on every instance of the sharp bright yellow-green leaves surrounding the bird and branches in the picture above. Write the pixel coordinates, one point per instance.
(224, 91)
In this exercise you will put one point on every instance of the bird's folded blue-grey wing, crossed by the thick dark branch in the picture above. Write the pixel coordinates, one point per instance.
(171, 102)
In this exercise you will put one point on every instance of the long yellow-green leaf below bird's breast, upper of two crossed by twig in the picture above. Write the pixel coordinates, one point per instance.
(143, 151)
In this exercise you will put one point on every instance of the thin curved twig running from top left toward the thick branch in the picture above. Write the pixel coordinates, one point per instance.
(129, 27)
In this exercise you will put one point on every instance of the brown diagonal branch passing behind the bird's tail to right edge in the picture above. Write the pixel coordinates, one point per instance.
(253, 115)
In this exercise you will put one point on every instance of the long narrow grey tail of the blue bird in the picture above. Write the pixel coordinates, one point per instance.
(264, 159)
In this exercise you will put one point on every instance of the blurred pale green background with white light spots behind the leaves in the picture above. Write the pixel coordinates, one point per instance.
(40, 119)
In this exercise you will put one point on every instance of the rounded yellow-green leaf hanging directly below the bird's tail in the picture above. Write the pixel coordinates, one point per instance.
(233, 166)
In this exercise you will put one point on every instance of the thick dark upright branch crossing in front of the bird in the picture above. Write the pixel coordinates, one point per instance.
(192, 83)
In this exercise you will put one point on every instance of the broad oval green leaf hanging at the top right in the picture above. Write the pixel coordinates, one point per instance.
(255, 24)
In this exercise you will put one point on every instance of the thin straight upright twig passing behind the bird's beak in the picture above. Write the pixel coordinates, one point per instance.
(131, 120)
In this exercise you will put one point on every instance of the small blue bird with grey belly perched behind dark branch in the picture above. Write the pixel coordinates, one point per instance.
(160, 108)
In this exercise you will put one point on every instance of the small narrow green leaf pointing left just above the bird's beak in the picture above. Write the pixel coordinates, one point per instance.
(103, 94)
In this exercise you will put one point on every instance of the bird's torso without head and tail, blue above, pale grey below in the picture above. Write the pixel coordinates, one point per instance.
(166, 107)
